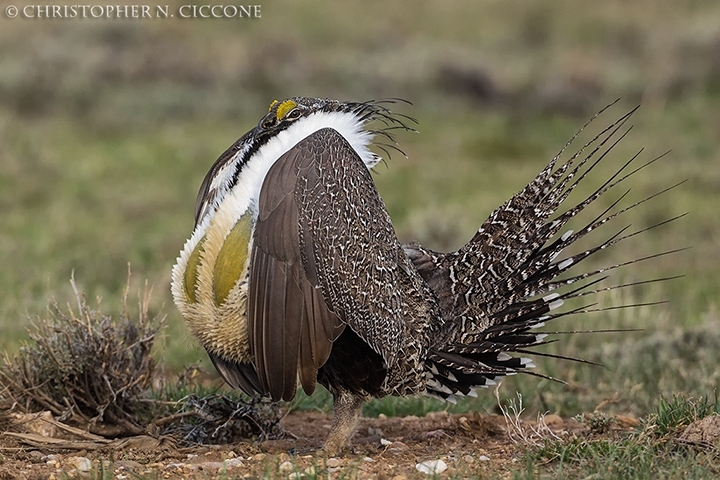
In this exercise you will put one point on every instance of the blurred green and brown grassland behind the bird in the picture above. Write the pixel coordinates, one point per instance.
(108, 127)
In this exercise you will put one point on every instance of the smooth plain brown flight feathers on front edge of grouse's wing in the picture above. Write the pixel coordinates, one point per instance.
(291, 328)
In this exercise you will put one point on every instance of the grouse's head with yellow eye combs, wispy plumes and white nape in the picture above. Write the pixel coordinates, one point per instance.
(285, 124)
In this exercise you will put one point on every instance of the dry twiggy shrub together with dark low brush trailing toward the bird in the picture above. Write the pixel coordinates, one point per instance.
(94, 372)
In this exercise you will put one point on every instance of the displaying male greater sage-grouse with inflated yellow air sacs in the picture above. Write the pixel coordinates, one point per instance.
(294, 272)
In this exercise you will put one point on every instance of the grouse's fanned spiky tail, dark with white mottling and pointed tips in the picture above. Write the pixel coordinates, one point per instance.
(497, 289)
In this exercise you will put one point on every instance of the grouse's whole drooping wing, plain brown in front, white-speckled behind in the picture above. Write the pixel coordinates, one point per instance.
(324, 256)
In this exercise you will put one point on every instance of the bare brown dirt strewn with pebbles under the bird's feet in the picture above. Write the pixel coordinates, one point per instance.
(383, 448)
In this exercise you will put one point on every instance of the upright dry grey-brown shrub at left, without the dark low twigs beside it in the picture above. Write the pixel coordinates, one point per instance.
(86, 368)
